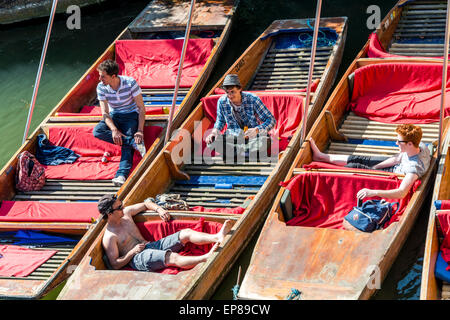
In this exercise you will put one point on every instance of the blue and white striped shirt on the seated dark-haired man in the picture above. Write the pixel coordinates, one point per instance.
(122, 100)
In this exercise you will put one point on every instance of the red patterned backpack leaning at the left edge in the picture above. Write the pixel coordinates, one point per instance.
(30, 174)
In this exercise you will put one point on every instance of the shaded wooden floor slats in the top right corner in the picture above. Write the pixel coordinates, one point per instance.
(421, 25)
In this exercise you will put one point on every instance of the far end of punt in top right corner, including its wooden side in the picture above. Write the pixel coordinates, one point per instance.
(411, 29)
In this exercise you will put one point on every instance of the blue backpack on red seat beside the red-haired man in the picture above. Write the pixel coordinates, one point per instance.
(371, 215)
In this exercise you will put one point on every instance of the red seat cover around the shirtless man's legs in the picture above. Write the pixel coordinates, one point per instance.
(155, 230)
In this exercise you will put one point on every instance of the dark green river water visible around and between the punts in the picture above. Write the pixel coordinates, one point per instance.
(72, 52)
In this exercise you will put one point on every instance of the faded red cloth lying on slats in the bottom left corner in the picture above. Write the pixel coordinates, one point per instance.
(16, 261)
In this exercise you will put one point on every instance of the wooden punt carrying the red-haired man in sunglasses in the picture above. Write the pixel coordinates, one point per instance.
(332, 263)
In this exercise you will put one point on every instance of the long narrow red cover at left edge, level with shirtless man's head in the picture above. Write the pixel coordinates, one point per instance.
(28, 211)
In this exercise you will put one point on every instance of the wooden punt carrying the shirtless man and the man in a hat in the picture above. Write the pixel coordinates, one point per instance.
(257, 179)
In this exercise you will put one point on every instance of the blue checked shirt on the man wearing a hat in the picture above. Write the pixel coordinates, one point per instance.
(252, 111)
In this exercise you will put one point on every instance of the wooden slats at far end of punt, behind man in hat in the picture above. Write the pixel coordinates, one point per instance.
(287, 69)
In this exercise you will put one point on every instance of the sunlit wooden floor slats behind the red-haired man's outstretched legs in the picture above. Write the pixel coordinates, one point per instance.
(355, 127)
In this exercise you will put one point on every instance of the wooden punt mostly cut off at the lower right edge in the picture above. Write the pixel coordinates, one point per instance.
(433, 288)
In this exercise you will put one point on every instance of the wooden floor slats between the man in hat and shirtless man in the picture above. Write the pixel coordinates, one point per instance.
(209, 197)
